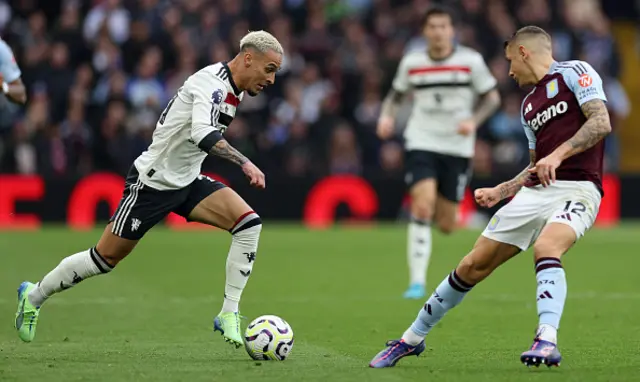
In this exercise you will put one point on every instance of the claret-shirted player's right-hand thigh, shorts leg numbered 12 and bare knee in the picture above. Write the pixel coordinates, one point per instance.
(574, 214)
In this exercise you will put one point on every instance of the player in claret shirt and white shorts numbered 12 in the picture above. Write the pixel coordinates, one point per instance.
(555, 199)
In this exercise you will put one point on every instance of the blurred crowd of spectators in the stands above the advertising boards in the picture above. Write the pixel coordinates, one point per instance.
(100, 72)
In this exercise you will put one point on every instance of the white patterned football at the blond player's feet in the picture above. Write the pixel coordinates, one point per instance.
(268, 338)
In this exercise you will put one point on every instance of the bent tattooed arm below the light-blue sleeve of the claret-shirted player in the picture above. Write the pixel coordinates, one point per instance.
(597, 127)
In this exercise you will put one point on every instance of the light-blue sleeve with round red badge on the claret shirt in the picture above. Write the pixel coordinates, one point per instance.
(584, 82)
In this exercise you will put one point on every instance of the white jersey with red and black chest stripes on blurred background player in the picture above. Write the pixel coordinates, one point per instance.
(444, 93)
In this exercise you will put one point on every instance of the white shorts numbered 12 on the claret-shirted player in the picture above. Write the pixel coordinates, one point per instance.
(519, 223)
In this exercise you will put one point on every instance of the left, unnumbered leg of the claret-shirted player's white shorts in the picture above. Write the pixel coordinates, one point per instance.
(520, 221)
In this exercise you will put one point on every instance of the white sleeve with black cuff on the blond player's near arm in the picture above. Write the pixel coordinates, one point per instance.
(208, 94)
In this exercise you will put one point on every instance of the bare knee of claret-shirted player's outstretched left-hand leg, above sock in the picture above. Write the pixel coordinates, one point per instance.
(486, 255)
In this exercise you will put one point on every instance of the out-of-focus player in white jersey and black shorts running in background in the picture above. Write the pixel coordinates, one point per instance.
(448, 82)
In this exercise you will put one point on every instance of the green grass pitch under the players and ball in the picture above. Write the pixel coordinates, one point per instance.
(340, 289)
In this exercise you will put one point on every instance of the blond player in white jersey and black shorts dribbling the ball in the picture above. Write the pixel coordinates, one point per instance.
(166, 178)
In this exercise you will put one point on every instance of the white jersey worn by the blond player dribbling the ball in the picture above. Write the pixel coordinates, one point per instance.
(205, 103)
